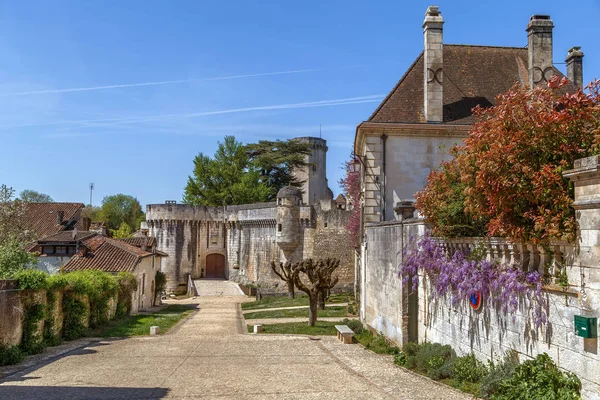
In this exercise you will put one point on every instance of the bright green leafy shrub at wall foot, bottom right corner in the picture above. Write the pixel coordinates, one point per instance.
(539, 378)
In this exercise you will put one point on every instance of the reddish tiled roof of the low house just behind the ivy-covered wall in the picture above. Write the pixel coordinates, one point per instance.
(108, 255)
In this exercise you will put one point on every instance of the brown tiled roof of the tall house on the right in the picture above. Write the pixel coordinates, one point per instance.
(473, 75)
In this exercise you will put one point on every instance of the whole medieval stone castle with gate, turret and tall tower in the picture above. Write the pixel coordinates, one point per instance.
(239, 242)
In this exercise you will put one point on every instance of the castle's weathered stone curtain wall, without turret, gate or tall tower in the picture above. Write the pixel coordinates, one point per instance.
(246, 237)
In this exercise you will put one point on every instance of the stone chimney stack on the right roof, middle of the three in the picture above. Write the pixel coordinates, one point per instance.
(539, 46)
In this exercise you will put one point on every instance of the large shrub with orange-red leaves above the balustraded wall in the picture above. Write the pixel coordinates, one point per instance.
(515, 155)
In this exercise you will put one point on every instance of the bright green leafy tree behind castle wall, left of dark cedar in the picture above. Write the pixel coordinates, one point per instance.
(226, 179)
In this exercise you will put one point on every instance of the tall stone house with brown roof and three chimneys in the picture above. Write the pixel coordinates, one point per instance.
(429, 109)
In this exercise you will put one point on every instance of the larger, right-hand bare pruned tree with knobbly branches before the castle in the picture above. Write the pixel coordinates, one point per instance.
(318, 277)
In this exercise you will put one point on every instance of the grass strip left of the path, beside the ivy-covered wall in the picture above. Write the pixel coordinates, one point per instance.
(137, 325)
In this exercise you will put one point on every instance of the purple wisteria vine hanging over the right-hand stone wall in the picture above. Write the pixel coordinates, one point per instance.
(461, 277)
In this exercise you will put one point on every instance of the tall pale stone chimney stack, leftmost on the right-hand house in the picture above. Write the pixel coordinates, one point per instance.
(434, 62)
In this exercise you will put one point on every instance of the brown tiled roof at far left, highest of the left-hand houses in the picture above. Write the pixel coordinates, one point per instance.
(41, 217)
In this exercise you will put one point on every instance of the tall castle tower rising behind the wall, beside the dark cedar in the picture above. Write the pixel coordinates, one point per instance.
(314, 175)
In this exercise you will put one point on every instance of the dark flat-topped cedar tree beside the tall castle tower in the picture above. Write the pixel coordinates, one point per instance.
(276, 161)
